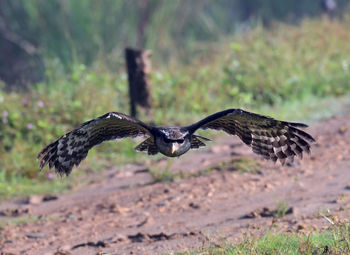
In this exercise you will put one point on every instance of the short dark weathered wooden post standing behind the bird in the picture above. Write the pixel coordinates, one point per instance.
(138, 66)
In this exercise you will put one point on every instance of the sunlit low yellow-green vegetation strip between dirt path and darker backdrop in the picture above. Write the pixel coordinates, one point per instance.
(279, 68)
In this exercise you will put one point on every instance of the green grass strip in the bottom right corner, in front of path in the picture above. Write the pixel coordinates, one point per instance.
(335, 240)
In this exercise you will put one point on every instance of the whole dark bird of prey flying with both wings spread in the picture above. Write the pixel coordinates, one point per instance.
(273, 139)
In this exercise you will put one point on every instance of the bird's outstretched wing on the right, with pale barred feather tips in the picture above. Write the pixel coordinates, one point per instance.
(273, 139)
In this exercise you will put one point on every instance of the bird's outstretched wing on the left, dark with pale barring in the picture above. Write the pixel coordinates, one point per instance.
(73, 147)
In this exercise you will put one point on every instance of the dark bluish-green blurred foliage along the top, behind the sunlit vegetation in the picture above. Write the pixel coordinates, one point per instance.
(75, 31)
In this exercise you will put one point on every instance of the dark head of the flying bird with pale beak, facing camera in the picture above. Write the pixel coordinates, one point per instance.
(173, 142)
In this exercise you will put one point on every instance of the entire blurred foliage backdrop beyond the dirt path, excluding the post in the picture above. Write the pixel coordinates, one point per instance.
(62, 63)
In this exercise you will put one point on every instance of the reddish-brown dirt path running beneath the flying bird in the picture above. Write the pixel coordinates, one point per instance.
(120, 212)
